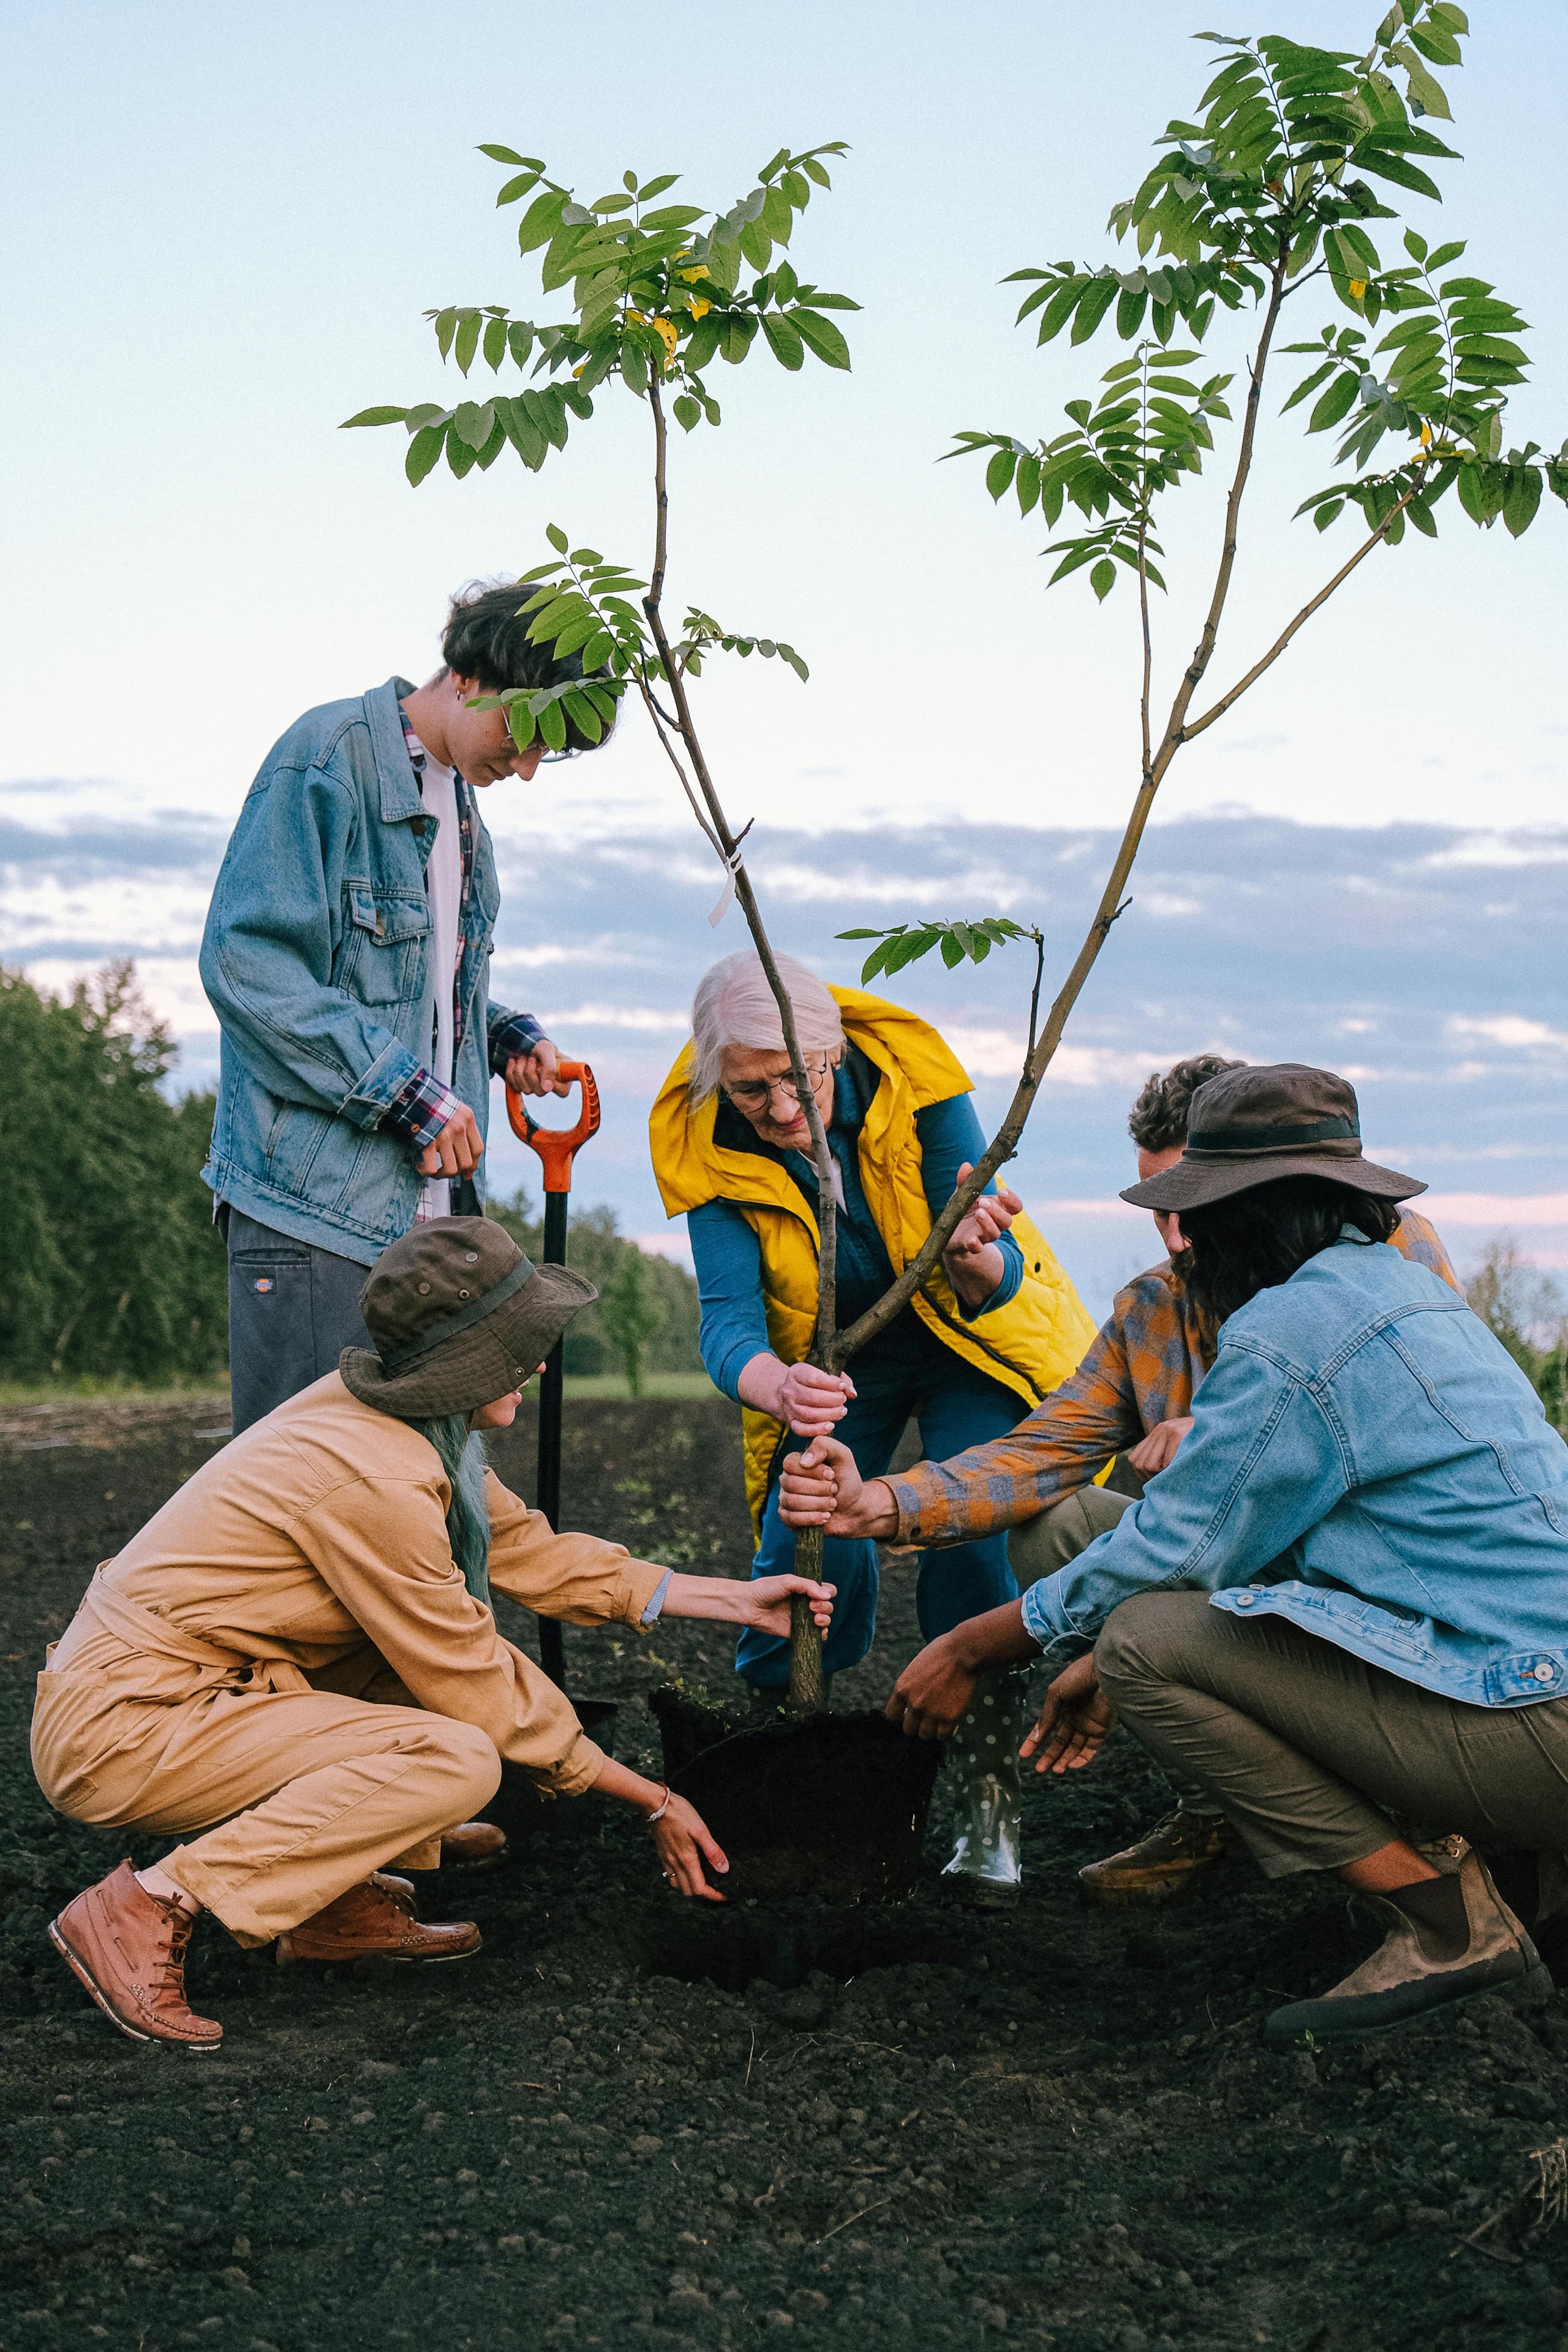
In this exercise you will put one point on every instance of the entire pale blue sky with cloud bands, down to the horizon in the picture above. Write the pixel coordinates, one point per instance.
(222, 232)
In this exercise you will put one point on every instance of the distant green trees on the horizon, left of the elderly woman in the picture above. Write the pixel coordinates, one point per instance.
(109, 1262)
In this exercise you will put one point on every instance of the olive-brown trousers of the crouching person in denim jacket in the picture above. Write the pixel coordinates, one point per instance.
(1320, 1758)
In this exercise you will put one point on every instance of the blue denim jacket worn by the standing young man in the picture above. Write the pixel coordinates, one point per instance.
(316, 963)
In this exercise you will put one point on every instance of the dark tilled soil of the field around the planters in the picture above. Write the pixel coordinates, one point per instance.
(634, 2125)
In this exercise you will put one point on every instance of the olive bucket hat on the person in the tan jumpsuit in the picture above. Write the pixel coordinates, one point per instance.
(460, 1318)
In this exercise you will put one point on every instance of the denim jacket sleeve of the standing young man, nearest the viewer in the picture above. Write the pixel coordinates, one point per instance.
(269, 956)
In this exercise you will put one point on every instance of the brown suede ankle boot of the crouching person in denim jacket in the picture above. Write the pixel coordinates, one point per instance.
(1447, 1939)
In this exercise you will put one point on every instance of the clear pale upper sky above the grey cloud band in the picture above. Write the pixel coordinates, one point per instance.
(225, 227)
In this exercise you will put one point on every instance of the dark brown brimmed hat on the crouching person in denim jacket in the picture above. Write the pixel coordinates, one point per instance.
(1257, 1123)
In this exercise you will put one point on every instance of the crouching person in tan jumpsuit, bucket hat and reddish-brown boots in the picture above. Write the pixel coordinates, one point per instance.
(295, 1666)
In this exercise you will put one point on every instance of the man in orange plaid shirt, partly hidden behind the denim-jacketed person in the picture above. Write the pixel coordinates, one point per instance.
(1130, 1405)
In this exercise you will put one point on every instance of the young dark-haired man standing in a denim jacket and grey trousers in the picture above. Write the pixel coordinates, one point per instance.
(347, 958)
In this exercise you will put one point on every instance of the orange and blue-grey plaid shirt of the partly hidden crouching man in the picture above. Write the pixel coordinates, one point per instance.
(1141, 1370)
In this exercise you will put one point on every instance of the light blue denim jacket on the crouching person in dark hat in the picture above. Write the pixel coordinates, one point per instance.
(1369, 1464)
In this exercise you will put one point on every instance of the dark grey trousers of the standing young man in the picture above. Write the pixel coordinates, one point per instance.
(293, 1309)
